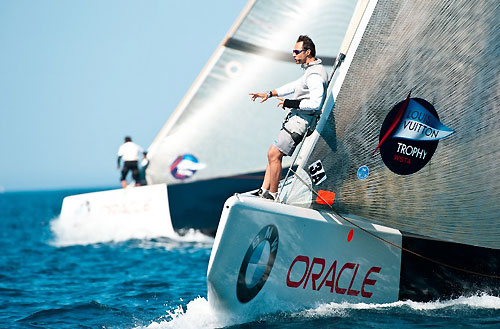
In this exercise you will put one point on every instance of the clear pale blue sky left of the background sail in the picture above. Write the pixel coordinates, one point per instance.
(76, 77)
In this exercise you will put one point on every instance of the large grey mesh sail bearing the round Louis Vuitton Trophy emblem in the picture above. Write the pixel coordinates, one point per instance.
(412, 141)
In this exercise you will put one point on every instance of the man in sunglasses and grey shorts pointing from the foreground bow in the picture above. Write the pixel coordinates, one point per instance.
(305, 107)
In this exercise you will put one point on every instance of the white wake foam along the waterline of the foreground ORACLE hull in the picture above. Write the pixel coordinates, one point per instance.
(199, 314)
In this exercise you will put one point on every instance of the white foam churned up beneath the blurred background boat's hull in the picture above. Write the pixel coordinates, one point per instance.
(91, 230)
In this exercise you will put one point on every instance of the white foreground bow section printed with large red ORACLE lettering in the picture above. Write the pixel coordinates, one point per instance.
(271, 257)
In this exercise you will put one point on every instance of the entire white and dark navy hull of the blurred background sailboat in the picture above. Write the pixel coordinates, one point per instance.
(153, 210)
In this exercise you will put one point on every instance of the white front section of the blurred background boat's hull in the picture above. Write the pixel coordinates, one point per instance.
(115, 215)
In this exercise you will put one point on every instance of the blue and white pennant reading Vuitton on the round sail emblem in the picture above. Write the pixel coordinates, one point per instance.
(419, 124)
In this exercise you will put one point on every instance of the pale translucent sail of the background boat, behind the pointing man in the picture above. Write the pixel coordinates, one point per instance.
(216, 131)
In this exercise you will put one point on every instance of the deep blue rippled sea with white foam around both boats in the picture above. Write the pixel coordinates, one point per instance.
(71, 277)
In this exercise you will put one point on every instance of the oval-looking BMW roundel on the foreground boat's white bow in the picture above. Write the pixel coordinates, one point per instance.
(257, 264)
